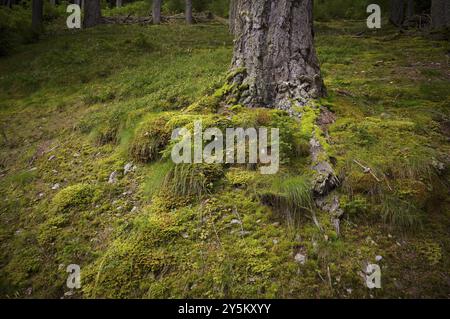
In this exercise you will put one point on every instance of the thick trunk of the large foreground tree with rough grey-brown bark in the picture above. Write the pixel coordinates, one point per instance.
(274, 45)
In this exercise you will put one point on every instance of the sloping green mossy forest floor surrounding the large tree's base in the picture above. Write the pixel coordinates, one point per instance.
(79, 105)
